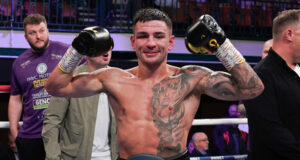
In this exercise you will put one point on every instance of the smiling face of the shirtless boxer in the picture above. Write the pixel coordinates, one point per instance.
(152, 40)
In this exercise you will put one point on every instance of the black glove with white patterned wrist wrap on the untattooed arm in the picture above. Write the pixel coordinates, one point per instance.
(91, 41)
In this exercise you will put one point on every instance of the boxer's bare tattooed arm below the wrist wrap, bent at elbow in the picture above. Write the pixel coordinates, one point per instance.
(241, 83)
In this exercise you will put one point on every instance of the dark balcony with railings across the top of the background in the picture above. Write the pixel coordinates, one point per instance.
(240, 19)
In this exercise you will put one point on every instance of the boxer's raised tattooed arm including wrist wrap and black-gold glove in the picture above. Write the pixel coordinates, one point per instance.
(206, 36)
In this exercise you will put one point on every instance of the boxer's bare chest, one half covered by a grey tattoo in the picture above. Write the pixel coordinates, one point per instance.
(165, 99)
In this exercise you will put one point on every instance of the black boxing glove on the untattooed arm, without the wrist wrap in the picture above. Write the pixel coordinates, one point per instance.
(92, 41)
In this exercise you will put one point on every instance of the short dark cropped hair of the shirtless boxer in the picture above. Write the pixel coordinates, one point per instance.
(149, 14)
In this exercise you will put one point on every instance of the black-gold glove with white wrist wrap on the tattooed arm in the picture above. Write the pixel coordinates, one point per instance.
(206, 36)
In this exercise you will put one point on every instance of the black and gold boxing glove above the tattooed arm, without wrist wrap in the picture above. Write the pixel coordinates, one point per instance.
(204, 36)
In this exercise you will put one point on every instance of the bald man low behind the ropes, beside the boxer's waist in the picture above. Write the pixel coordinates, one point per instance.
(201, 145)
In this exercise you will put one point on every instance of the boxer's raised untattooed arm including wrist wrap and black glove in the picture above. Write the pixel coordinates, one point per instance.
(91, 42)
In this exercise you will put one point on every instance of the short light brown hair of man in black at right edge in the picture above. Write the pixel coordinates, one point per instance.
(284, 19)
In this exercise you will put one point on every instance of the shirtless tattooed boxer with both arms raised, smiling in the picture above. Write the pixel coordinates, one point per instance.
(155, 103)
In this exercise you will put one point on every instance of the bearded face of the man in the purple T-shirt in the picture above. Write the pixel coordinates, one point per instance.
(37, 36)
